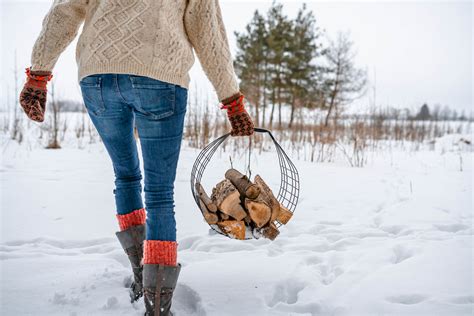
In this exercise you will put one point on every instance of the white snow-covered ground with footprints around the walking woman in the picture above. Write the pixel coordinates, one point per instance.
(393, 238)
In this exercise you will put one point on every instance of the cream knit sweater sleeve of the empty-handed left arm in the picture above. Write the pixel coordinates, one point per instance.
(59, 28)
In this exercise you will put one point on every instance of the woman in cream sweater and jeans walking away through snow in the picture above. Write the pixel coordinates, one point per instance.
(133, 58)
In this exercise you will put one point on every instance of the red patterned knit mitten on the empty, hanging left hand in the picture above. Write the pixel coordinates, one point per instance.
(33, 95)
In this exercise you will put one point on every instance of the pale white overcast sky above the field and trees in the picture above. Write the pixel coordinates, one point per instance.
(418, 51)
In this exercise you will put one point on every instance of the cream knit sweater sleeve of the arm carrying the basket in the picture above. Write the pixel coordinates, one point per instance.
(206, 31)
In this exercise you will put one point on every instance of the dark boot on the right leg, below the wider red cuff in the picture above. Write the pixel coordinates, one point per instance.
(159, 283)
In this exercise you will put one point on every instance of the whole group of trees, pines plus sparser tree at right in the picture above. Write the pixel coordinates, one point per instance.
(285, 62)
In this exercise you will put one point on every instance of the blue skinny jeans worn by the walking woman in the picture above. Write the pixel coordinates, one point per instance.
(118, 102)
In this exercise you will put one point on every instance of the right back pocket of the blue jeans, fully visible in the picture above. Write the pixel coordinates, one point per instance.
(156, 98)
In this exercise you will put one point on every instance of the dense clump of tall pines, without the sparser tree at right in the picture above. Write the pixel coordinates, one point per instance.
(279, 62)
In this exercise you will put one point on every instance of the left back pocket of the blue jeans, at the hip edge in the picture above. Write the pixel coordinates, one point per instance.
(91, 88)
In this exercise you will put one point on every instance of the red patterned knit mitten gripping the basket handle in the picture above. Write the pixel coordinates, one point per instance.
(242, 124)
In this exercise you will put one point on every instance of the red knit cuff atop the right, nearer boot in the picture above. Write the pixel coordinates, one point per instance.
(160, 252)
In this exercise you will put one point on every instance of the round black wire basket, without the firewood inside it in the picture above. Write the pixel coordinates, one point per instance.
(288, 192)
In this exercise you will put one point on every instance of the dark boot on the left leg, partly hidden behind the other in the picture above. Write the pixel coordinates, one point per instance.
(131, 240)
